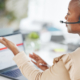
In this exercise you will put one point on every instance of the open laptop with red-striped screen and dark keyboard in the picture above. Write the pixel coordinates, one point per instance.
(8, 67)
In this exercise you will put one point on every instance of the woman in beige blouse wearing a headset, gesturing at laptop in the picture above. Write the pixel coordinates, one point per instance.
(65, 67)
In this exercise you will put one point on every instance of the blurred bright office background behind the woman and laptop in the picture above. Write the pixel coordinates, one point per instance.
(39, 23)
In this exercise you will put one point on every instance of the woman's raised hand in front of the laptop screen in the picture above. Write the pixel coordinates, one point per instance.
(9, 45)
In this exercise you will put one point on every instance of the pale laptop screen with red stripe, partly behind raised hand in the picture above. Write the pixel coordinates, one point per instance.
(6, 56)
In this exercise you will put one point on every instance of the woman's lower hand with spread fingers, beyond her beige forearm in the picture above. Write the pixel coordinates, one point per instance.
(39, 61)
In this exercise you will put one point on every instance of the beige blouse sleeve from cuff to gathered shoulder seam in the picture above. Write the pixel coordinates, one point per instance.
(58, 71)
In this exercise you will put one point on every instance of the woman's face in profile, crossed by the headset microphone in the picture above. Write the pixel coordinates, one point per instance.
(73, 16)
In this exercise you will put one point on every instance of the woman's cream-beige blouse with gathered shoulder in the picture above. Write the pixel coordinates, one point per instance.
(65, 67)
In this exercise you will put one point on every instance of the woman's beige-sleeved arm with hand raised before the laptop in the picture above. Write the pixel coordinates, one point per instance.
(57, 71)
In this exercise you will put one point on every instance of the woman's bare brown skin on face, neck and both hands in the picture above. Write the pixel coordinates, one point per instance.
(72, 16)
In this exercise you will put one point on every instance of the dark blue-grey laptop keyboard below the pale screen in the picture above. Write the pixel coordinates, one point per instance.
(14, 73)
